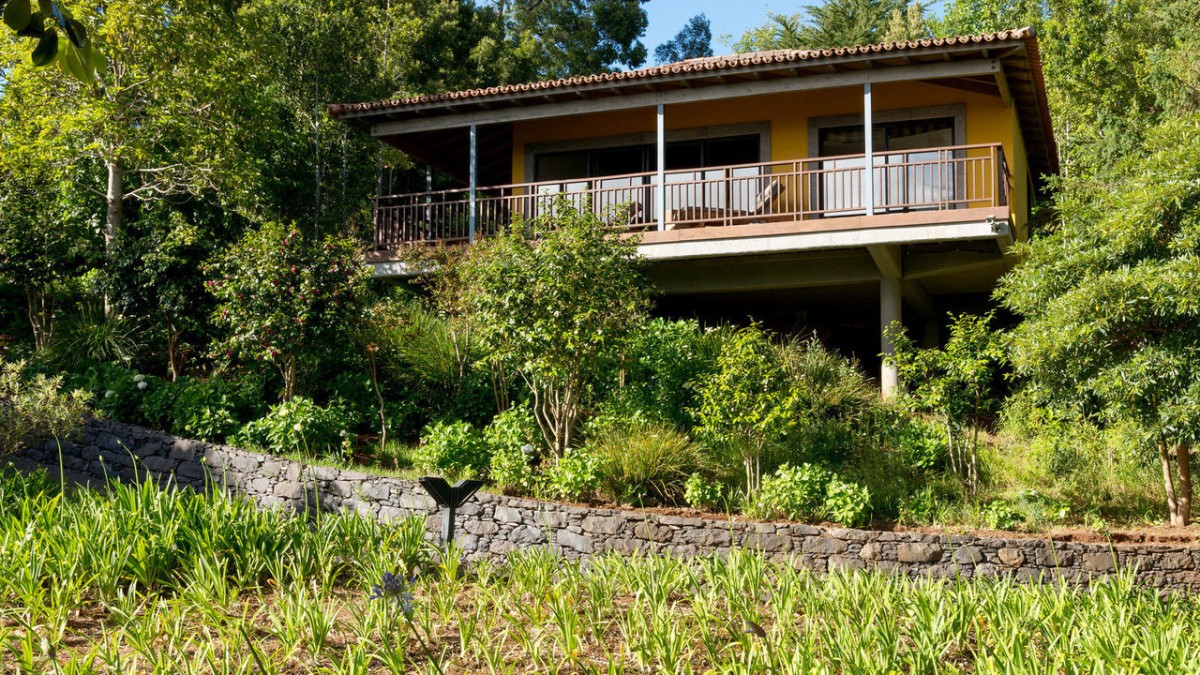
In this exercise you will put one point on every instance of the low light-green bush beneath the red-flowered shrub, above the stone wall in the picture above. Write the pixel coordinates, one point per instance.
(299, 426)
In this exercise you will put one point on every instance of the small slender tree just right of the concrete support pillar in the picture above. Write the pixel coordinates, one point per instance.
(955, 384)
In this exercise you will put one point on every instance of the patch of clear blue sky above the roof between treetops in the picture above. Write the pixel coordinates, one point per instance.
(728, 17)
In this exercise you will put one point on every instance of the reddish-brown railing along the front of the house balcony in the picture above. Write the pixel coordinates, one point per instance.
(914, 181)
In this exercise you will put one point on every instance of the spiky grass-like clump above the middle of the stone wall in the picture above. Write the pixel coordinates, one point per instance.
(645, 462)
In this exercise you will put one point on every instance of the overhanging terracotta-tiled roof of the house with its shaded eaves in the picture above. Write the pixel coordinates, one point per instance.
(1005, 64)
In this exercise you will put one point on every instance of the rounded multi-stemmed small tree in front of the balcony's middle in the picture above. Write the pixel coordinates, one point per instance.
(555, 309)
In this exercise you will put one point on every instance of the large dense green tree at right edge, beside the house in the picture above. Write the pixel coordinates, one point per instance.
(1111, 310)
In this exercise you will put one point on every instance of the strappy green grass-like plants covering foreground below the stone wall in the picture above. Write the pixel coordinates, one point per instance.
(141, 580)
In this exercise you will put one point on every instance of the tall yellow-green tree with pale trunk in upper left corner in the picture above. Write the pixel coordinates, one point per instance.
(161, 120)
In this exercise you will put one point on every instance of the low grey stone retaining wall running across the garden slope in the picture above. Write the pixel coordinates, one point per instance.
(493, 525)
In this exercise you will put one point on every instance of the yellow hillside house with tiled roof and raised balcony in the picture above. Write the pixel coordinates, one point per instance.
(746, 176)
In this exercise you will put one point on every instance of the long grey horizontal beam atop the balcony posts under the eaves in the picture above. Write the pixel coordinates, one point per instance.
(723, 92)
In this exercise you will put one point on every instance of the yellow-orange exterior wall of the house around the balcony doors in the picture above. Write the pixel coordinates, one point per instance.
(988, 121)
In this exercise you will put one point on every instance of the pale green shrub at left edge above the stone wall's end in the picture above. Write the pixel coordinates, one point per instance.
(33, 409)
